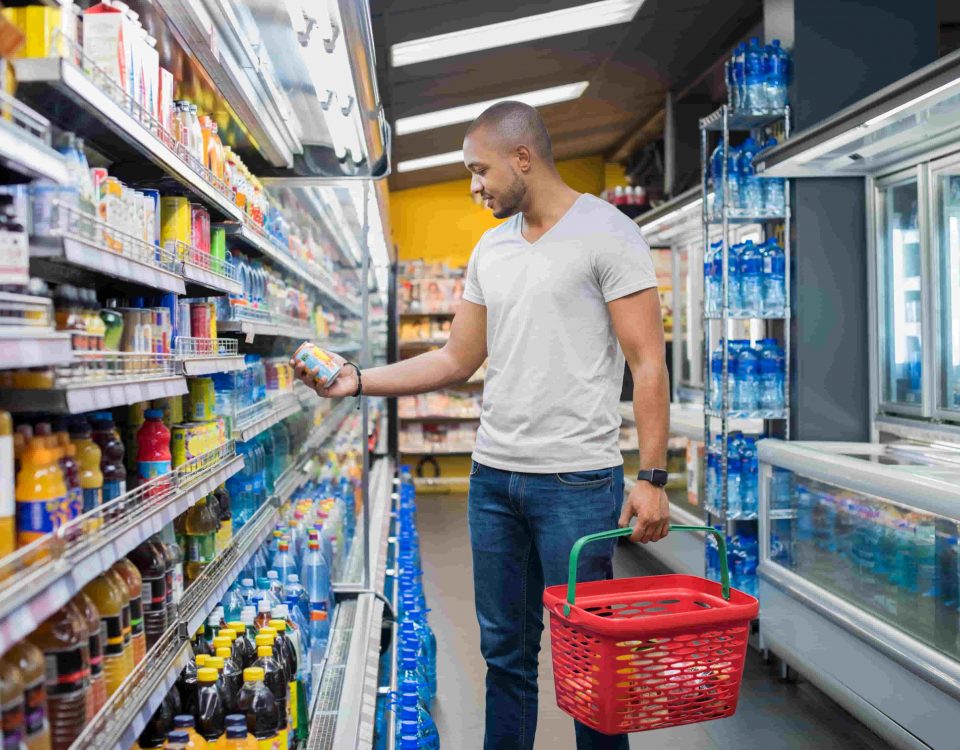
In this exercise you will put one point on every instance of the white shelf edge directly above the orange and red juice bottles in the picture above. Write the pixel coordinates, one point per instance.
(92, 396)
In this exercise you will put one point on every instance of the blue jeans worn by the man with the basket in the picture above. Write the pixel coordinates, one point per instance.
(522, 527)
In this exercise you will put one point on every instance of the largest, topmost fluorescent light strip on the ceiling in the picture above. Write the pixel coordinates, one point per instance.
(517, 31)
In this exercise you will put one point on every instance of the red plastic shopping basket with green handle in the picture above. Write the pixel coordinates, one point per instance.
(648, 653)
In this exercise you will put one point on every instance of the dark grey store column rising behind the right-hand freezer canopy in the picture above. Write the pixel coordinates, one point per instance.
(842, 50)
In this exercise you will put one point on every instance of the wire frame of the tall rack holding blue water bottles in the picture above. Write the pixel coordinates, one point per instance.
(723, 122)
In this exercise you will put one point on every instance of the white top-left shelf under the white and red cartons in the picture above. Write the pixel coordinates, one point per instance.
(60, 90)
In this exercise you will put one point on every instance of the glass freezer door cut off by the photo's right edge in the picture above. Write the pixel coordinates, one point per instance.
(946, 182)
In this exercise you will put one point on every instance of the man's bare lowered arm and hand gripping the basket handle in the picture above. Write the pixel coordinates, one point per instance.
(638, 322)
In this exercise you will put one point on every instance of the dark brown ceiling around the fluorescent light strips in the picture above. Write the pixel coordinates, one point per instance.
(669, 44)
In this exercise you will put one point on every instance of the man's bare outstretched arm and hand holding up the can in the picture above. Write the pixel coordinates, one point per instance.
(459, 358)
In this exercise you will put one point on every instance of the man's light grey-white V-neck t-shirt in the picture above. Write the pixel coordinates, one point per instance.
(555, 371)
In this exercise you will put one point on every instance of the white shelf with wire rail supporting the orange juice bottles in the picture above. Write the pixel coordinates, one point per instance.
(33, 592)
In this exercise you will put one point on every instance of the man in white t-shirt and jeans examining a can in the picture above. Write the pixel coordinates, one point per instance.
(556, 296)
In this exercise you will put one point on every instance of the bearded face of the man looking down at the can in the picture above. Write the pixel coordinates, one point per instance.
(496, 176)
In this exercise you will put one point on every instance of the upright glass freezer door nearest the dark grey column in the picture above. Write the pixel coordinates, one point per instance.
(900, 270)
